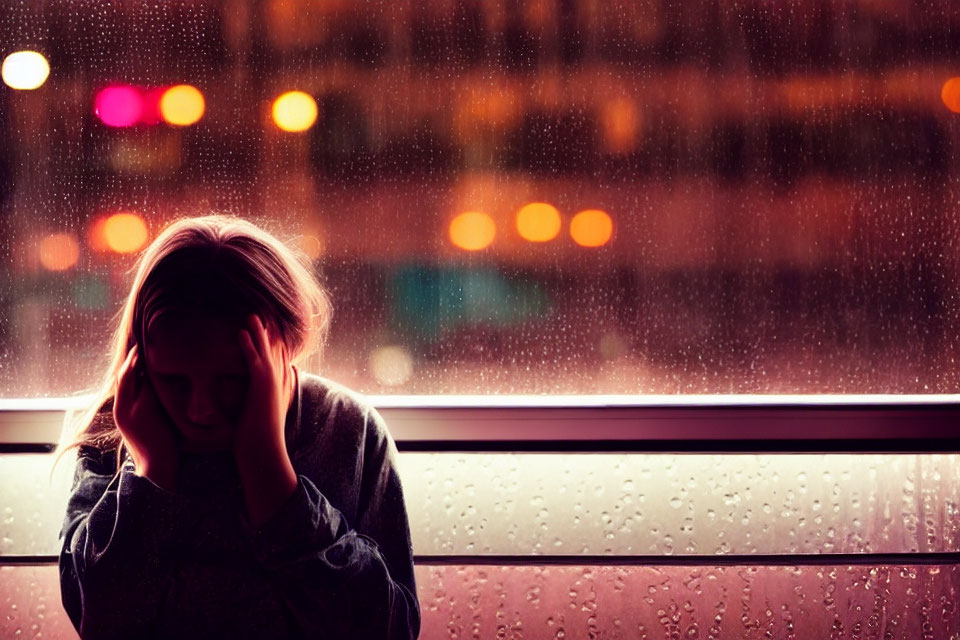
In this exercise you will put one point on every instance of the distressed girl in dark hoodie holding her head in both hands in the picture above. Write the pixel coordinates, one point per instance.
(221, 491)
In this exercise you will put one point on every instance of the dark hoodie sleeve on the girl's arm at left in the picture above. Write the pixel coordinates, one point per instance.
(119, 546)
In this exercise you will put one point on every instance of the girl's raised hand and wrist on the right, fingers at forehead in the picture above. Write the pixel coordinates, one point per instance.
(259, 447)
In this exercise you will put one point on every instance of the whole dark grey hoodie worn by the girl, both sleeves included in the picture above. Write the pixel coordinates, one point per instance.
(335, 562)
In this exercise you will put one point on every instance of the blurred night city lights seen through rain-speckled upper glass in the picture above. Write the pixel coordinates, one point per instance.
(505, 196)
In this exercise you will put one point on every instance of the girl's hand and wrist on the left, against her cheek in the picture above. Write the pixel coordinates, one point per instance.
(142, 422)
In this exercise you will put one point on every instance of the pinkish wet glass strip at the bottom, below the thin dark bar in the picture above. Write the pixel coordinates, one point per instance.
(753, 602)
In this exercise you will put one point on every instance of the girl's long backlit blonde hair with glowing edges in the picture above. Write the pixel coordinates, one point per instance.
(214, 264)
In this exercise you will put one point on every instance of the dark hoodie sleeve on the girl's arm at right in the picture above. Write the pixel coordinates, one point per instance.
(347, 579)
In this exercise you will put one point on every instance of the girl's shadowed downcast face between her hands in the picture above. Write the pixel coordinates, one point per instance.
(198, 371)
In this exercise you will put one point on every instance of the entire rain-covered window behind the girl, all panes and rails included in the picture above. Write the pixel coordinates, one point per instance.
(510, 198)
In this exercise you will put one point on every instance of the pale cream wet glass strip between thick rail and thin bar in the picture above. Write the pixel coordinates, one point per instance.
(616, 504)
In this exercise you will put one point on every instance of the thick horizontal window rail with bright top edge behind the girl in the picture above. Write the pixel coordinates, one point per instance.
(775, 424)
